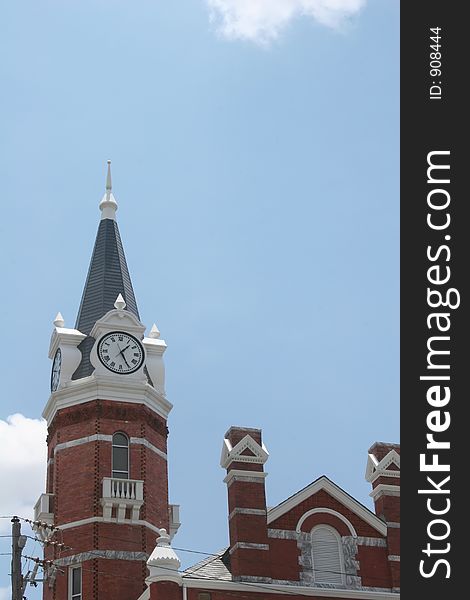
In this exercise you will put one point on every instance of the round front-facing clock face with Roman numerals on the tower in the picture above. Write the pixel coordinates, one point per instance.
(120, 352)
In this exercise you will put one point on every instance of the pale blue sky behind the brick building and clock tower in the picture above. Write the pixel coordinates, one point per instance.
(255, 164)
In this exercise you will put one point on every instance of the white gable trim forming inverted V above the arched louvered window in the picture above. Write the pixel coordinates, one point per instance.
(323, 483)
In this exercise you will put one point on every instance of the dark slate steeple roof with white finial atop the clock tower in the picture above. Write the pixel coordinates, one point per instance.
(107, 277)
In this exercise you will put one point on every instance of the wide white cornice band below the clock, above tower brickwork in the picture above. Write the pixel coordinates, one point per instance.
(106, 387)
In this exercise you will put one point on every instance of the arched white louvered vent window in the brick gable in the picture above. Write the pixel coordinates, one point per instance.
(326, 549)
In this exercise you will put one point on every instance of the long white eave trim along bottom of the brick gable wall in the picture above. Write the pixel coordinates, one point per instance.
(192, 582)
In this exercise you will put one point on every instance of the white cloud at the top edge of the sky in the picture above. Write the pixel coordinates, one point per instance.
(261, 21)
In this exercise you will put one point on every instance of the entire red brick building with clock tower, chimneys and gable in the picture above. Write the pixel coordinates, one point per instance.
(107, 478)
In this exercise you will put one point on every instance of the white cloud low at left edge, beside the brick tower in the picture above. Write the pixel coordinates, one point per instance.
(22, 465)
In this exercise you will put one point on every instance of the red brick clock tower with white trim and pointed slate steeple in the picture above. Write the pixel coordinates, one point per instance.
(107, 480)
